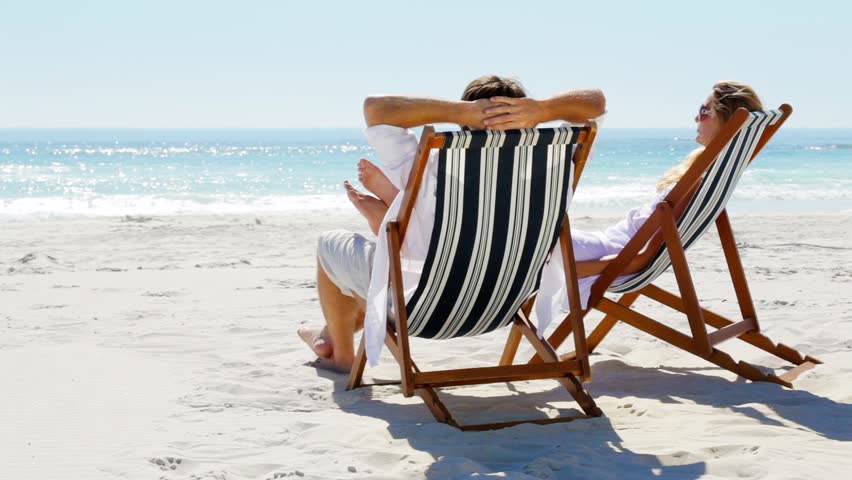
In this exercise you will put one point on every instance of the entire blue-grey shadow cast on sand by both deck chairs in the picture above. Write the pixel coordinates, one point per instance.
(588, 448)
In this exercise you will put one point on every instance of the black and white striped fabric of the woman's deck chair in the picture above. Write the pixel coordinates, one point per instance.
(711, 197)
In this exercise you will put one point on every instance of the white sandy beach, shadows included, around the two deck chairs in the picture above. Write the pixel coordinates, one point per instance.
(165, 347)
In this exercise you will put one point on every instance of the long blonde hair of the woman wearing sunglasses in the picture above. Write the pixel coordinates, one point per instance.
(728, 96)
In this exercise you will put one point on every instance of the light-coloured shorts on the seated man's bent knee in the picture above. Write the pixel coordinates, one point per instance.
(347, 259)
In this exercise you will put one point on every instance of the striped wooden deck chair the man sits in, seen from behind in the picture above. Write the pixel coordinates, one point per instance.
(500, 208)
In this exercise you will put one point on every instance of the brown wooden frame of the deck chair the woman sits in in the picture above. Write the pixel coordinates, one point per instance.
(660, 230)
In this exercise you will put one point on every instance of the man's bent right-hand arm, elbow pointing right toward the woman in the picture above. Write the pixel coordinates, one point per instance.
(574, 106)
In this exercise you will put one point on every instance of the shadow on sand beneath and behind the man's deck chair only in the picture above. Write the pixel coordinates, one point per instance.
(580, 449)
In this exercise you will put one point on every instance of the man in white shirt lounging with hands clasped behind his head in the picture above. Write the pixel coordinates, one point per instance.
(347, 260)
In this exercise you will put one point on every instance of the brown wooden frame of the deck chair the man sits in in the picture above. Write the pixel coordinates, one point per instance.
(425, 383)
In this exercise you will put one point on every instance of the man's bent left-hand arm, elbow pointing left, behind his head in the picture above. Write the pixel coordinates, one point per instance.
(405, 112)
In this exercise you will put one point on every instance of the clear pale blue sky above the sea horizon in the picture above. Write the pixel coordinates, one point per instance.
(310, 63)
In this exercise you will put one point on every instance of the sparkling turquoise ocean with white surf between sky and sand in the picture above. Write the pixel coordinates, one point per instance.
(106, 172)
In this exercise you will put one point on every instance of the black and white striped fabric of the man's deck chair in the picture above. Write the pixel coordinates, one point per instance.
(501, 197)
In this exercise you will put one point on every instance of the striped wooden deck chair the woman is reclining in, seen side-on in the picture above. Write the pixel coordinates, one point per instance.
(694, 204)
